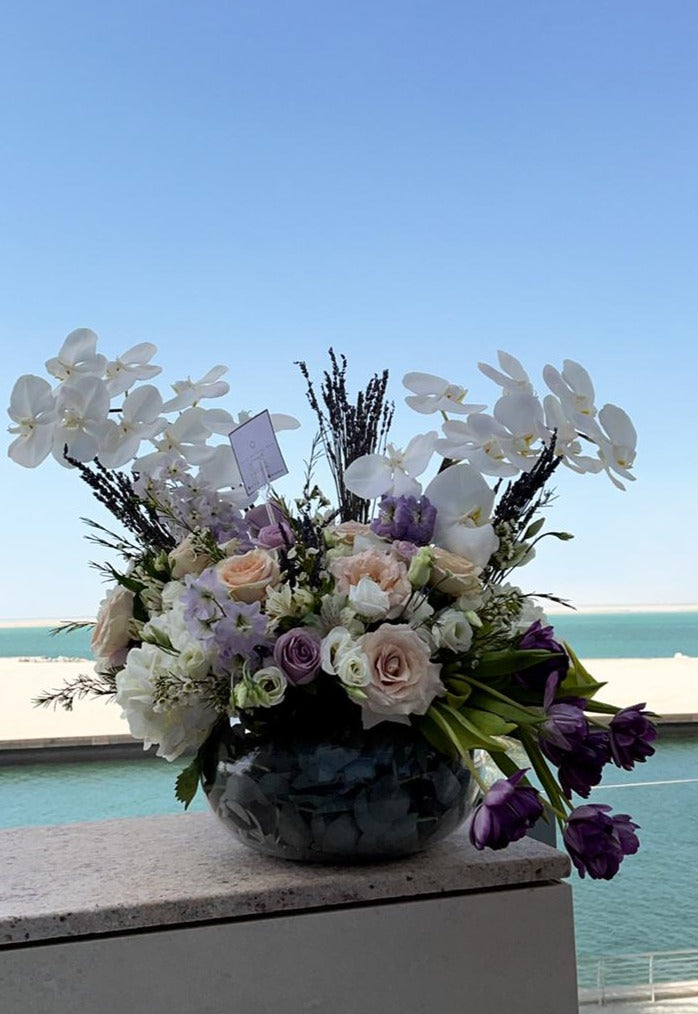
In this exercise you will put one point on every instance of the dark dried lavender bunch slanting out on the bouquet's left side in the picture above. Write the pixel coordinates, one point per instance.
(115, 491)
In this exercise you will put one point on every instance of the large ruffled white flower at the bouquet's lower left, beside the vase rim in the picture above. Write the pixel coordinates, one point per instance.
(175, 727)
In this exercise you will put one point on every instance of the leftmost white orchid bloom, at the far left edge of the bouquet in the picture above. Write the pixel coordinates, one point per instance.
(33, 409)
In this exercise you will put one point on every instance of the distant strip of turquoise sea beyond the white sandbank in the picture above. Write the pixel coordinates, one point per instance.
(619, 635)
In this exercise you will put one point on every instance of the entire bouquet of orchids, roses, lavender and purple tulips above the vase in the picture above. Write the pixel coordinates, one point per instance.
(394, 605)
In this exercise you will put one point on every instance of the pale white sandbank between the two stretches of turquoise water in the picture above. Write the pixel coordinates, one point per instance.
(669, 686)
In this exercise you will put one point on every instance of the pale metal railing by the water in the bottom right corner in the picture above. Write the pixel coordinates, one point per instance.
(652, 977)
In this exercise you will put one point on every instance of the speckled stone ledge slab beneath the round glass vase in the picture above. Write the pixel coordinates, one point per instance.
(116, 877)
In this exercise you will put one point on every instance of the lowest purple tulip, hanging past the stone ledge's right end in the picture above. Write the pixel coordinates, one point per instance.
(597, 842)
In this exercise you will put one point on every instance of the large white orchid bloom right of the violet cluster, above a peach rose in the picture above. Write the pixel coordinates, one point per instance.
(464, 503)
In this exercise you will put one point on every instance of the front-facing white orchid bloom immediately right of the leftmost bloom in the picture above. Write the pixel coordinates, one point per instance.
(83, 405)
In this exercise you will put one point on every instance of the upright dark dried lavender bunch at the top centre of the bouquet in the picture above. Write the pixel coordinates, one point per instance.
(348, 431)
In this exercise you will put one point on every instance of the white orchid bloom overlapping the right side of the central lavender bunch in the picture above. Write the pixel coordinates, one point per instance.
(393, 474)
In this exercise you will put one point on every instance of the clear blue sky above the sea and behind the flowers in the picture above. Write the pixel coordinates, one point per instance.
(417, 184)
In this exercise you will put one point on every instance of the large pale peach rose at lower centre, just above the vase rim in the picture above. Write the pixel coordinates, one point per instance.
(404, 681)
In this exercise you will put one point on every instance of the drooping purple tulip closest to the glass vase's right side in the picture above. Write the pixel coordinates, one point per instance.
(506, 814)
